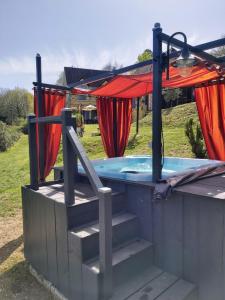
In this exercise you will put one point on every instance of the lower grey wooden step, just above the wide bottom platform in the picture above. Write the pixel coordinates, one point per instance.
(128, 260)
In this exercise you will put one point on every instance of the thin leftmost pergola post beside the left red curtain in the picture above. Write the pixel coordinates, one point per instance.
(40, 108)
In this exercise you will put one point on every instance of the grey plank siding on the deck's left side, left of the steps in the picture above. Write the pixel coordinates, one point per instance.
(45, 243)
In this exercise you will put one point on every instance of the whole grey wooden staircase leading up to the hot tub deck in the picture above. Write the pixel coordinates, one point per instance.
(134, 274)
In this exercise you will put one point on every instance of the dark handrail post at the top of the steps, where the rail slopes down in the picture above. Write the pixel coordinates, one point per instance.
(69, 158)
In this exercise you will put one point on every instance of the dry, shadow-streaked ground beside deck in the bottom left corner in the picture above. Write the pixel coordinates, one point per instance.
(16, 282)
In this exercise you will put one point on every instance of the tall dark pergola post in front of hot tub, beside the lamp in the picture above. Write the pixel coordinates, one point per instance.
(156, 104)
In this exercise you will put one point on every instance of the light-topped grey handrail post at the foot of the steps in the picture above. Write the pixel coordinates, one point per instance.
(105, 240)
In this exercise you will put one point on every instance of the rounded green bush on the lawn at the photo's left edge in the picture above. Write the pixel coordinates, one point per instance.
(8, 136)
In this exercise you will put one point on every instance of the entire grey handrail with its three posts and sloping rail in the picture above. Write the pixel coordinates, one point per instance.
(72, 148)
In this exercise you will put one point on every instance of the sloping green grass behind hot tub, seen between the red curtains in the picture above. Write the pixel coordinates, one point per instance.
(173, 126)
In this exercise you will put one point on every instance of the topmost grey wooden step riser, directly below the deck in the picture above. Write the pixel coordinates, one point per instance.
(86, 210)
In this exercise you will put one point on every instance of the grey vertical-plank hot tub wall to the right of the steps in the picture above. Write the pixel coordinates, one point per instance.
(188, 235)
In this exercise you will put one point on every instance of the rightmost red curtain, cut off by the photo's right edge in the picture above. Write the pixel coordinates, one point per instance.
(210, 102)
